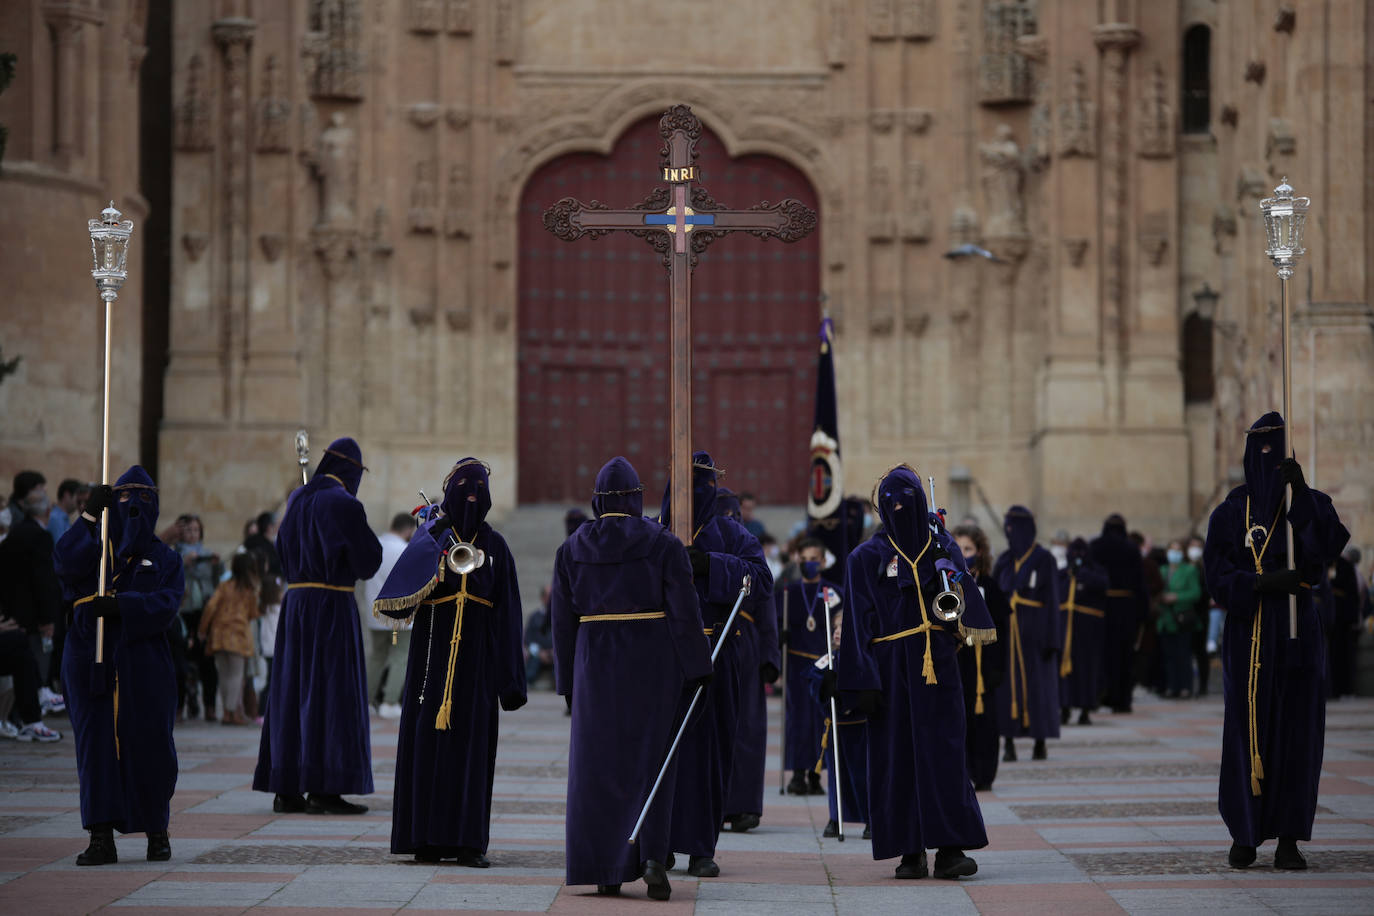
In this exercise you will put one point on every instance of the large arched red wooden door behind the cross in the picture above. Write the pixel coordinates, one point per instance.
(593, 333)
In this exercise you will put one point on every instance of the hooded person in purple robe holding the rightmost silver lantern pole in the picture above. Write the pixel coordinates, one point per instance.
(1277, 696)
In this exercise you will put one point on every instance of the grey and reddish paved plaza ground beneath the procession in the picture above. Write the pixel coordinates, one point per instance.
(1122, 818)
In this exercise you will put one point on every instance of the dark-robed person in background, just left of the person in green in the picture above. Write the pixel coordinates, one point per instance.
(1126, 605)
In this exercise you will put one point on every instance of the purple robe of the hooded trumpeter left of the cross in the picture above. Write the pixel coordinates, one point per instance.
(444, 778)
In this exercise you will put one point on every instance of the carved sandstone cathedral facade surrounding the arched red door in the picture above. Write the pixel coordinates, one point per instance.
(347, 181)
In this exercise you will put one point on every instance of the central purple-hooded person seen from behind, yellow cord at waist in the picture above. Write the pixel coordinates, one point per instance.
(627, 638)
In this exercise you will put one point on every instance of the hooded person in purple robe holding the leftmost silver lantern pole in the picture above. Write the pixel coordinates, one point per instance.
(123, 711)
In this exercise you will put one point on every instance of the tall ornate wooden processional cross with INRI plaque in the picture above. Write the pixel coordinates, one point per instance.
(681, 222)
